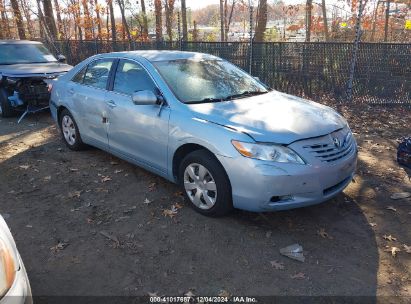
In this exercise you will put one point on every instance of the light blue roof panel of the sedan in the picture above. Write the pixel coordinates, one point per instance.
(153, 55)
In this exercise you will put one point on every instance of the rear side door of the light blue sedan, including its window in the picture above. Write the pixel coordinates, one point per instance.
(89, 99)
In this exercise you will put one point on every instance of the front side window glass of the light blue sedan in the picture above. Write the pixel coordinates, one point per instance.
(131, 77)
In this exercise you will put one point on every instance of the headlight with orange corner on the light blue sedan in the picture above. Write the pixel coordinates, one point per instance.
(271, 152)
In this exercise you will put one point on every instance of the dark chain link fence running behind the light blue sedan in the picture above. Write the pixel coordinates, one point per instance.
(382, 72)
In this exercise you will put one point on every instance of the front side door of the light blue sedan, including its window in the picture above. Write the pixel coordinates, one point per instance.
(139, 132)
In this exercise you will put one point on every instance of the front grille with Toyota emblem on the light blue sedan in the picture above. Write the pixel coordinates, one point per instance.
(338, 146)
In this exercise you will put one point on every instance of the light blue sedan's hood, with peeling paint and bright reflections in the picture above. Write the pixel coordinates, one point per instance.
(272, 117)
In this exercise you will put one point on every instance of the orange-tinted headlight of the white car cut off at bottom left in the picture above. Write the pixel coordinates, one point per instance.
(7, 268)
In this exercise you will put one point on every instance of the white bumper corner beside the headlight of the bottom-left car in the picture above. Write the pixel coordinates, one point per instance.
(20, 291)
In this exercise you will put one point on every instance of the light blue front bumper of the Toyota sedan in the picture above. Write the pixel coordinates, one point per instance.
(262, 186)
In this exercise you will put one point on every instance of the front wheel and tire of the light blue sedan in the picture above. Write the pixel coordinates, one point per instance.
(198, 185)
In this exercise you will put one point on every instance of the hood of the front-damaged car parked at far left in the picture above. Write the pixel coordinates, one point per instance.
(34, 69)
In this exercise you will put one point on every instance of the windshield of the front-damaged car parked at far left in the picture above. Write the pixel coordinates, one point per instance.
(24, 53)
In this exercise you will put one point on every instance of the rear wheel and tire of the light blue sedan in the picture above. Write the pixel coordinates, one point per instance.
(69, 131)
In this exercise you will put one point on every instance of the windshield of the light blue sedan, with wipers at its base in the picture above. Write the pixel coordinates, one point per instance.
(194, 81)
